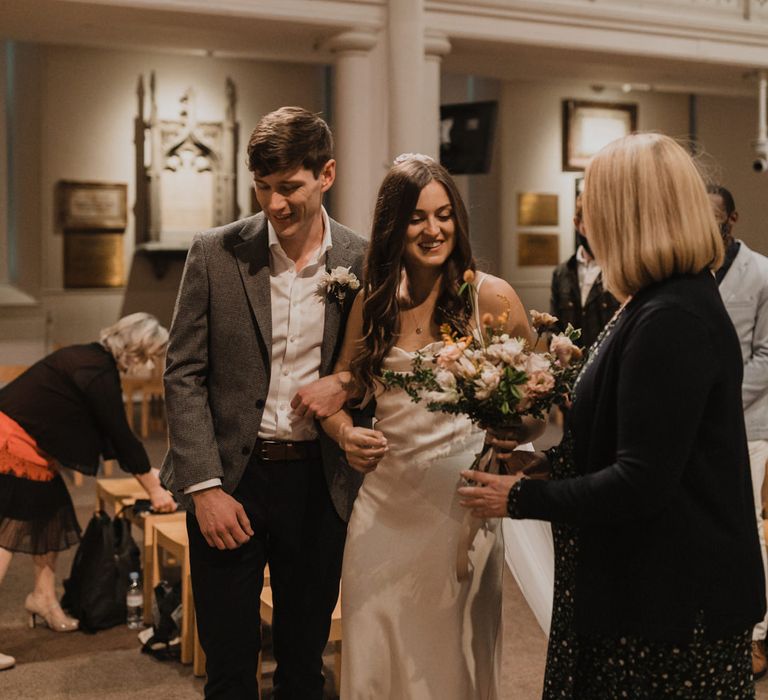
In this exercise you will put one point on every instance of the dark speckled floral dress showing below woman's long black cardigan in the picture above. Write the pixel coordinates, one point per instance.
(586, 667)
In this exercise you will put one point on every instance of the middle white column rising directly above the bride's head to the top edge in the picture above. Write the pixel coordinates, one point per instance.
(406, 69)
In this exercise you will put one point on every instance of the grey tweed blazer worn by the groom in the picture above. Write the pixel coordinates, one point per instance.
(218, 361)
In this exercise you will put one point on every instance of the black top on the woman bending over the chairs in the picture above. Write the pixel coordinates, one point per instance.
(71, 403)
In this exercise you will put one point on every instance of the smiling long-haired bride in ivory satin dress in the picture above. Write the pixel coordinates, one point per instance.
(414, 627)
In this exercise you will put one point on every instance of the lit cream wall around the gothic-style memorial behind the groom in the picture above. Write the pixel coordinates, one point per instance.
(76, 112)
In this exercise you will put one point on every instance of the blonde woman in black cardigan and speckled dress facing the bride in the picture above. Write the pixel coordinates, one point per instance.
(659, 578)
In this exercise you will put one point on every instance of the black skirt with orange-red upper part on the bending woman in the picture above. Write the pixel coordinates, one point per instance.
(36, 511)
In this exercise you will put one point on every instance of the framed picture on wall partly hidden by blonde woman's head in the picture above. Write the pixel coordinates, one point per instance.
(588, 126)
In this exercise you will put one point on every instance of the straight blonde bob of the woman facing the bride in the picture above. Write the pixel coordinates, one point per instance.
(647, 213)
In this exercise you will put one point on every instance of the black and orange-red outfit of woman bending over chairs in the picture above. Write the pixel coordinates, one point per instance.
(66, 409)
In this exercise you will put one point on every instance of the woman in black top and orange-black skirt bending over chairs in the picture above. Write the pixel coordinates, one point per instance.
(67, 410)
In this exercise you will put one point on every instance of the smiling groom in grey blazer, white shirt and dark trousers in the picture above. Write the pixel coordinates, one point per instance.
(253, 342)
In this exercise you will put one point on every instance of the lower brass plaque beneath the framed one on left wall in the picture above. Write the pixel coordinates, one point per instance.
(94, 260)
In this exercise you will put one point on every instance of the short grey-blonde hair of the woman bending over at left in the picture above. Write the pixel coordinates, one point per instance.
(134, 340)
